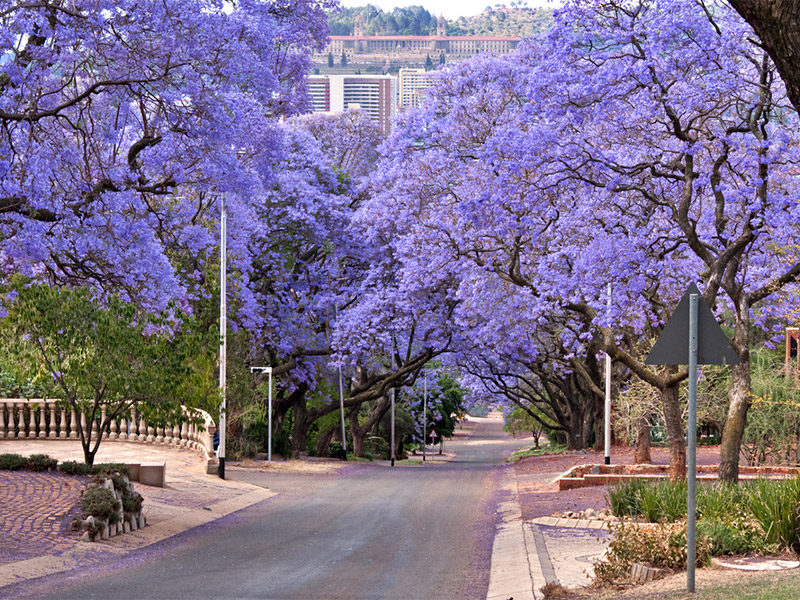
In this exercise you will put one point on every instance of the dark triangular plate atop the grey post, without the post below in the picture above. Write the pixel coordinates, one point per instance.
(672, 346)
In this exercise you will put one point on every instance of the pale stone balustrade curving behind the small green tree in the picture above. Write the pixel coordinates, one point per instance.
(50, 420)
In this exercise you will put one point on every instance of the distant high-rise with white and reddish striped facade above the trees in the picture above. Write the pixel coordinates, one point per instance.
(376, 95)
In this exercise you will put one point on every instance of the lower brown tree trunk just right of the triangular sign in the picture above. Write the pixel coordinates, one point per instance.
(733, 431)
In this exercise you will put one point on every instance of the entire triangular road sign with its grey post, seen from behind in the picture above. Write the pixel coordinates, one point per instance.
(692, 330)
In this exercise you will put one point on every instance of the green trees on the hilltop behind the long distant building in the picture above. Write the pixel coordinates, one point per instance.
(416, 20)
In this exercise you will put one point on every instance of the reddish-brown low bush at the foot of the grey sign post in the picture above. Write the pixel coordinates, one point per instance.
(661, 545)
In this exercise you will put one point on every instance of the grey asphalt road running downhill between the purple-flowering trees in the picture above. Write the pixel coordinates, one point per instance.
(369, 531)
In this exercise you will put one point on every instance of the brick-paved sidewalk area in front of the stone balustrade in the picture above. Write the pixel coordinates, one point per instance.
(37, 506)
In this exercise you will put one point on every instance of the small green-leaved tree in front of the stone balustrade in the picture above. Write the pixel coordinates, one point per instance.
(101, 360)
